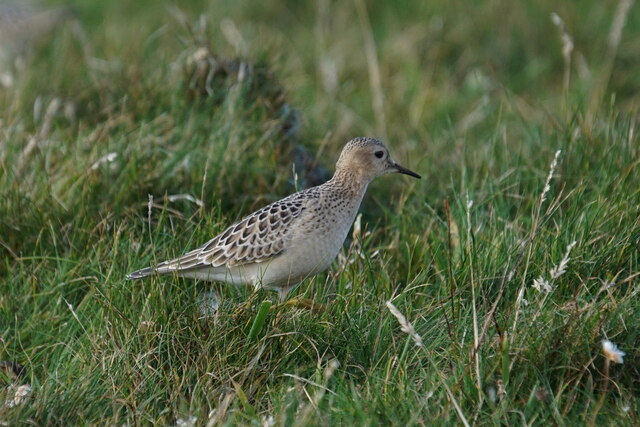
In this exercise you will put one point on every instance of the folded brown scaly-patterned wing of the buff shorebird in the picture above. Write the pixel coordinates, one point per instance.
(257, 238)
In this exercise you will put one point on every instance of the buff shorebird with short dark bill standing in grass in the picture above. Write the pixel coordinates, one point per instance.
(285, 242)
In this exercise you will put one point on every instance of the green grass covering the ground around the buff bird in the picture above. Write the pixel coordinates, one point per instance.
(472, 95)
